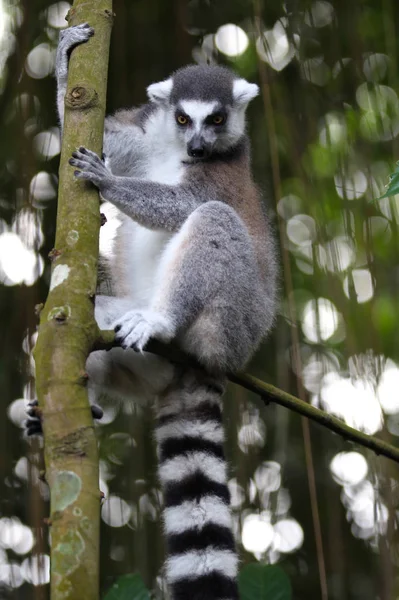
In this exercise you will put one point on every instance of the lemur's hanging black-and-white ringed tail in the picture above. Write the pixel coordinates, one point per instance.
(202, 561)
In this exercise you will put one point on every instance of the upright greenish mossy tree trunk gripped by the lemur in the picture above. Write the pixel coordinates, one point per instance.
(68, 330)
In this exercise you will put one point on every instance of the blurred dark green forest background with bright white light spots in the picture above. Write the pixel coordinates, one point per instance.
(325, 138)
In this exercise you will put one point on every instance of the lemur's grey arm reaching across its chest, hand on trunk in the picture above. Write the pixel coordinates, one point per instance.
(154, 205)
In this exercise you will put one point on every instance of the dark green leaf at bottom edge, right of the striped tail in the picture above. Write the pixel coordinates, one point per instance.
(263, 582)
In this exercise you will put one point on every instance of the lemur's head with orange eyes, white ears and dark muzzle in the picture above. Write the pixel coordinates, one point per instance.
(206, 105)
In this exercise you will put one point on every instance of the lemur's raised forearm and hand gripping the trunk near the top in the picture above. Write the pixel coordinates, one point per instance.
(69, 39)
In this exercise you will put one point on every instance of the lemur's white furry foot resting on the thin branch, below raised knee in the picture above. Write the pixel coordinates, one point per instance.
(135, 329)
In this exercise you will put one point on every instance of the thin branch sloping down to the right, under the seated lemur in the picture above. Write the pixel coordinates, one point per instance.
(270, 393)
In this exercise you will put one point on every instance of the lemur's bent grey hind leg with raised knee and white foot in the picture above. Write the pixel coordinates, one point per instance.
(205, 295)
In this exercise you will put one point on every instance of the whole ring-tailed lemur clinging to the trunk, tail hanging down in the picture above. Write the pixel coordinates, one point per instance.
(193, 261)
